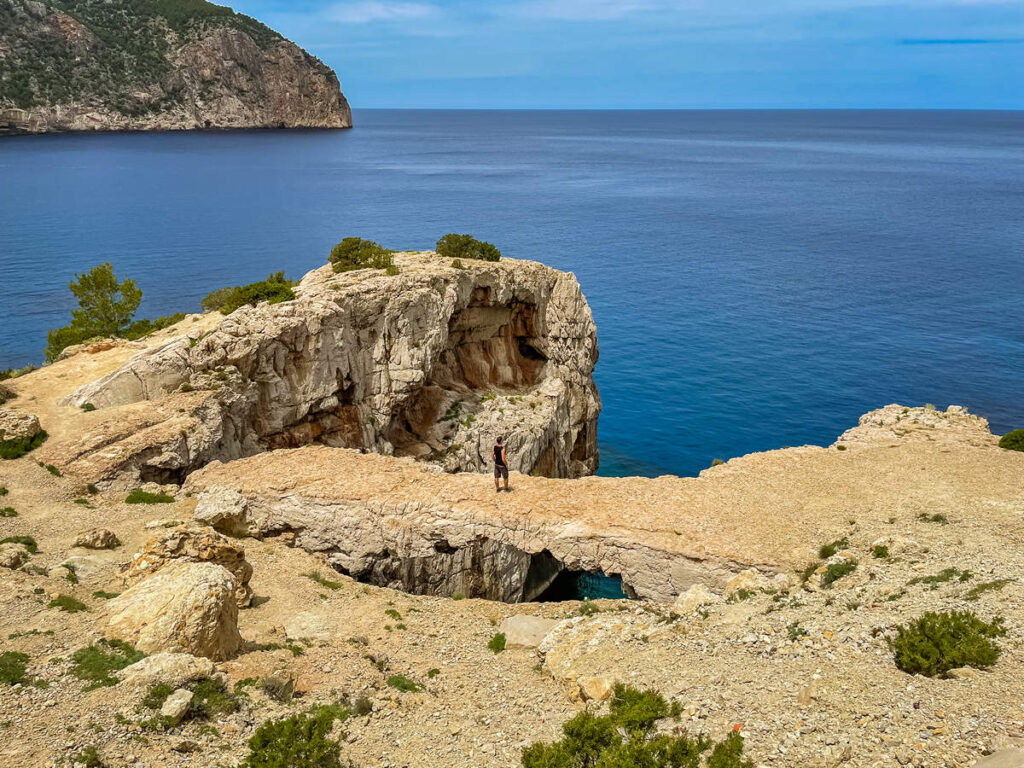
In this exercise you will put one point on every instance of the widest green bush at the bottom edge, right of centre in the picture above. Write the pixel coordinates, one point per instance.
(592, 742)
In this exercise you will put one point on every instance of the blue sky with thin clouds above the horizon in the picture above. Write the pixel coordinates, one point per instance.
(664, 54)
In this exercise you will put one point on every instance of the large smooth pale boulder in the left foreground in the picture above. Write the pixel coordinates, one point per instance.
(186, 607)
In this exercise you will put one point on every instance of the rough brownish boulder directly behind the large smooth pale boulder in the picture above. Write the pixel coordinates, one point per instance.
(193, 543)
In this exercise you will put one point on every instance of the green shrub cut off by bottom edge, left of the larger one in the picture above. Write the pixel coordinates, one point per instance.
(300, 742)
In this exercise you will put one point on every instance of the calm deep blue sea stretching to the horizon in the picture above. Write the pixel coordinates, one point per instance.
(759, 279)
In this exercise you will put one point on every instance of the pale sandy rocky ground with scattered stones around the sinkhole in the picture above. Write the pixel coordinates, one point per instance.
(924, 502)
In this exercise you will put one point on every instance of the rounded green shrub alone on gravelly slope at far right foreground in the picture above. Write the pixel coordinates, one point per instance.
(936, 644)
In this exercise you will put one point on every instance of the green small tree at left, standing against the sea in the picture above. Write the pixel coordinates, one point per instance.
(106, 308)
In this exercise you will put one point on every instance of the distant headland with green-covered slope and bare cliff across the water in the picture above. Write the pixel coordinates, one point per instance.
(158, 65)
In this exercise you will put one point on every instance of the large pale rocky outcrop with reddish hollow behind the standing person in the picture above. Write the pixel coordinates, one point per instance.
(434, 364)
